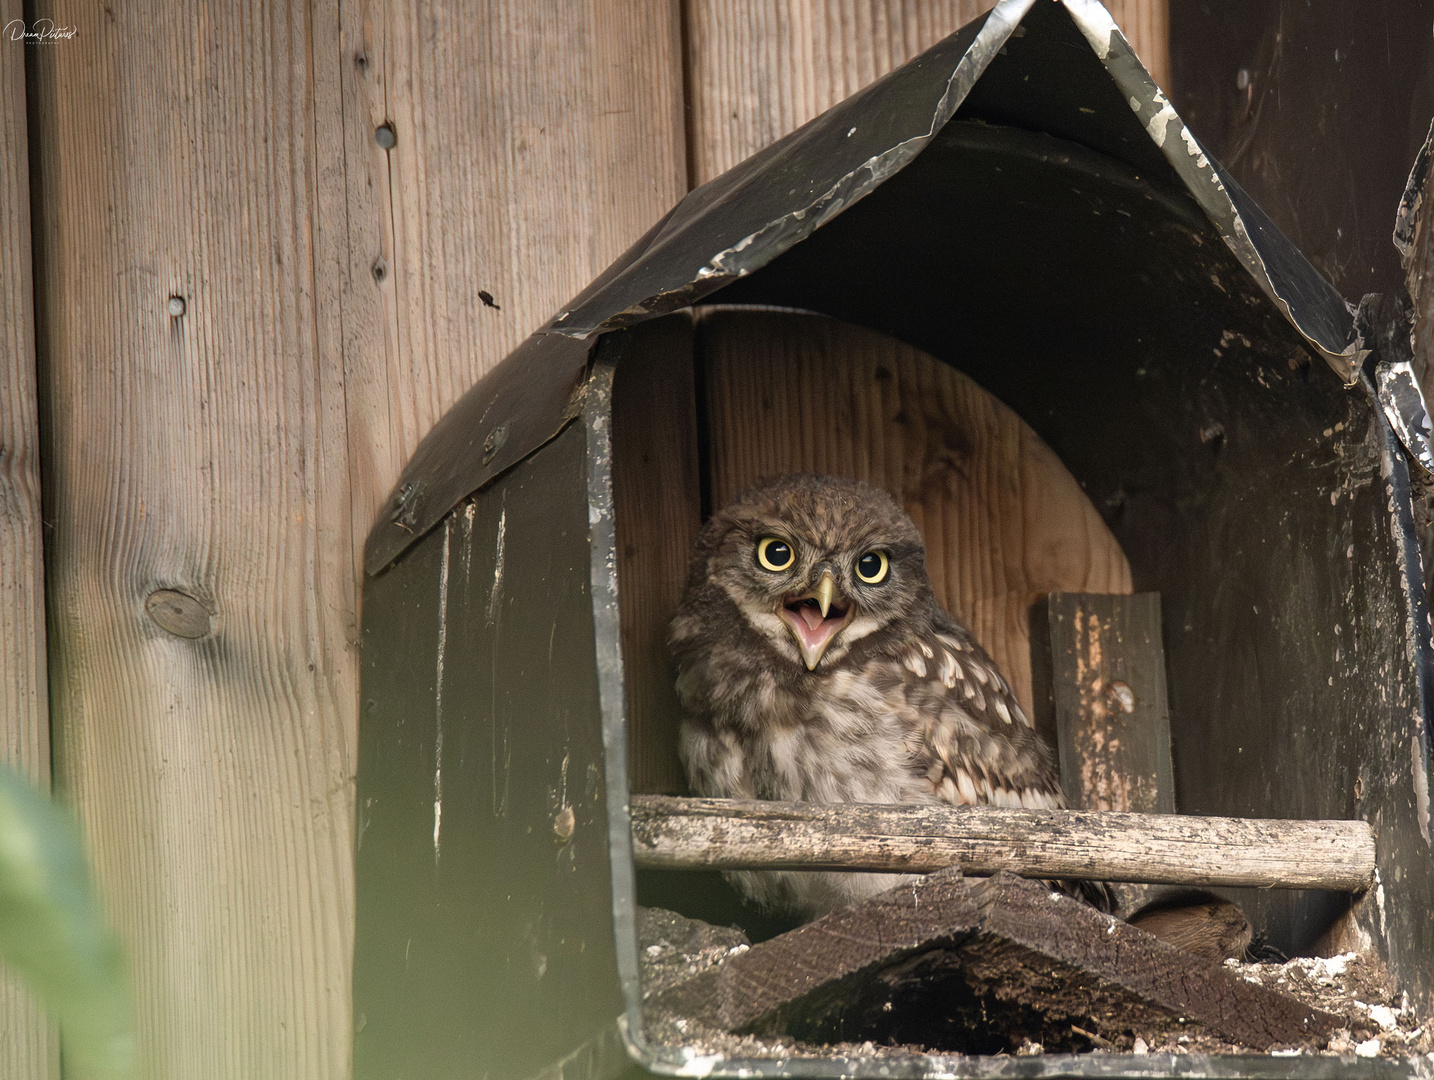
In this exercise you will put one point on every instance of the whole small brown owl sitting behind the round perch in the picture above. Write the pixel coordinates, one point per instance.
(817, 665)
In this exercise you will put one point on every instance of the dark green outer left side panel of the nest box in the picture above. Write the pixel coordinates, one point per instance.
(485, 942)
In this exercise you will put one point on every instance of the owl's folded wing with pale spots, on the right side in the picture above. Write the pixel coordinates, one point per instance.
(966, 734)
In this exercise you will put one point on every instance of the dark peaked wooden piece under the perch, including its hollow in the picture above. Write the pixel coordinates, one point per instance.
(983, 967)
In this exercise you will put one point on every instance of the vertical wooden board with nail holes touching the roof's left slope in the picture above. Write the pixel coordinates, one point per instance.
(534, 144)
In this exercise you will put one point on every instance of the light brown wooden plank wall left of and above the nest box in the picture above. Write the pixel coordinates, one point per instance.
(249, 311)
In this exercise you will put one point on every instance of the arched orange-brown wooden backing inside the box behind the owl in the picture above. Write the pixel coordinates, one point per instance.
(1003, 520)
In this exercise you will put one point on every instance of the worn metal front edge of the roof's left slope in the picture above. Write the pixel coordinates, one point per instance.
(759, 249)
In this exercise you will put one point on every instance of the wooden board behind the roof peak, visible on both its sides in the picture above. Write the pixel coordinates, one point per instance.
(759, 70)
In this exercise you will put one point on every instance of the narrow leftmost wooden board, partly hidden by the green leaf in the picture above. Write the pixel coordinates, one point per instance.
(29, 1049)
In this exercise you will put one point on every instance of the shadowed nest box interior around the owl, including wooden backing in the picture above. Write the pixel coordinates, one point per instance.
(1058, 366)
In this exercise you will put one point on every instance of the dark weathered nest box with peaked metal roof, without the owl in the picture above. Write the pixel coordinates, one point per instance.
(1005, 283)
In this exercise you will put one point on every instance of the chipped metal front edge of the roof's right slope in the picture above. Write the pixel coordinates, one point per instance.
(1208, 189)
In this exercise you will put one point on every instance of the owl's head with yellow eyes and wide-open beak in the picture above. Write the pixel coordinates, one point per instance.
(814, 564)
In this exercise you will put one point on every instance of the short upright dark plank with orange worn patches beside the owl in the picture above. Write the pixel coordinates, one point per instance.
(1108, 695)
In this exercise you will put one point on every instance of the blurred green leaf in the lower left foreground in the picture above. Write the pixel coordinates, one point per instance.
(54, 934)
